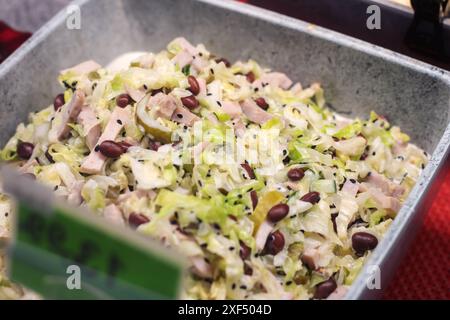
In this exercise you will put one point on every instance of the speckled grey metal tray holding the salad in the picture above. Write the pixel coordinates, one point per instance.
(357, 78)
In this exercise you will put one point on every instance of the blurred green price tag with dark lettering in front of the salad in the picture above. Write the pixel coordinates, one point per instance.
(63, 253)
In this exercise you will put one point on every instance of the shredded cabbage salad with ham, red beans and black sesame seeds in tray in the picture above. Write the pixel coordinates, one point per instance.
(266, 191)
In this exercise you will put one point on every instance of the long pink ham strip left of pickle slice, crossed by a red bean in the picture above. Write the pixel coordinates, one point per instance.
(94, 162)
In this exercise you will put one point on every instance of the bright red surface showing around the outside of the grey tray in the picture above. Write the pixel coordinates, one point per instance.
(425, 271)
